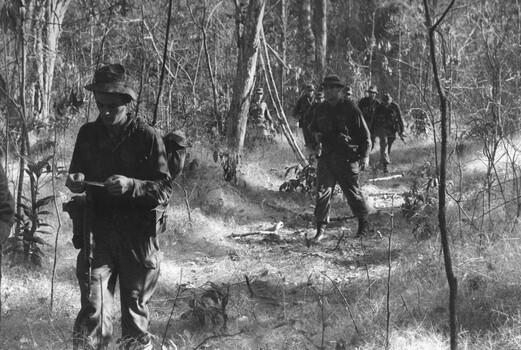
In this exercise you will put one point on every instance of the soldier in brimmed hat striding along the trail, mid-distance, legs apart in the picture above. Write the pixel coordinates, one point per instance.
(338, 125)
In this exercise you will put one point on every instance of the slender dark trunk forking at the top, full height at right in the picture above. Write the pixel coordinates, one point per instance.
(453, 283)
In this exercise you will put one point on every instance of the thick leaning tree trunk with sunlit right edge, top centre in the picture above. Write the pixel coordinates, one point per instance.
(248, 42)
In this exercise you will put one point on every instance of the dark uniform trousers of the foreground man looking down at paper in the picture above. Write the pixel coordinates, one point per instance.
(117, 252)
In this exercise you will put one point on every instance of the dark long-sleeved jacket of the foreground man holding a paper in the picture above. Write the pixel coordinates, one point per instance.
(139, 154)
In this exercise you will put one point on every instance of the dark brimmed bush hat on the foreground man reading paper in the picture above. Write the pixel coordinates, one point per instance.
(112, 79)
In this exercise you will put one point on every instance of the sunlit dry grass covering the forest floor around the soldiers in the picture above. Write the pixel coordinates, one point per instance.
(281, 294)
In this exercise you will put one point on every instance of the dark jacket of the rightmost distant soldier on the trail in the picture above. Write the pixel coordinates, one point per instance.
(387, 120)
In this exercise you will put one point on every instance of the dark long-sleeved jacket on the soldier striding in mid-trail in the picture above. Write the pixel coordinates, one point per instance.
(341, 126)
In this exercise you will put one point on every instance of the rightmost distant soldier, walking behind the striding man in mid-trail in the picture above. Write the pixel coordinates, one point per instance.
(387, 122)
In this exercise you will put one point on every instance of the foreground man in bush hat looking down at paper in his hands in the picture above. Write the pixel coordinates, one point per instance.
(119, 162)
